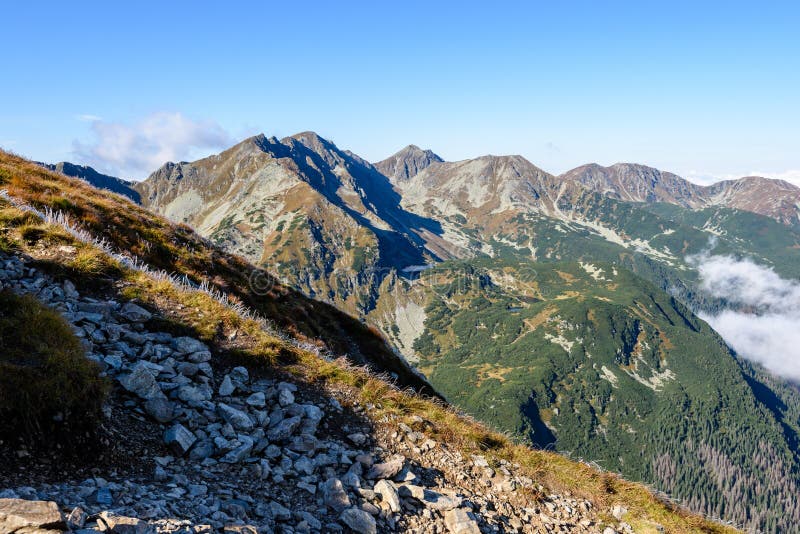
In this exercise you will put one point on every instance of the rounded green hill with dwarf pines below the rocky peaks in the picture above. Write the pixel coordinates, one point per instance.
(599, 363)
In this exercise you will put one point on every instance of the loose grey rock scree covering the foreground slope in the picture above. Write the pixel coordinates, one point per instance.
(242, 448)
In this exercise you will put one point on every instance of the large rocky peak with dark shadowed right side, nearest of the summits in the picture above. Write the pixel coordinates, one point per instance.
(323, 218)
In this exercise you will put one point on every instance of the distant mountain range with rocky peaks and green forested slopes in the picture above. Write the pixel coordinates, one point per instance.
(567, 304)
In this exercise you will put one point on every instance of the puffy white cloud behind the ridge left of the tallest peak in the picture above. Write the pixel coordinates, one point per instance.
(135, 150)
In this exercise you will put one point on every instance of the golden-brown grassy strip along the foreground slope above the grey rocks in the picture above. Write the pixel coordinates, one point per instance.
(177, 249)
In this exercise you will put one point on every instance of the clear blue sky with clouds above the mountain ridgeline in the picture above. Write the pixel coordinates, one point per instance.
(705, 89)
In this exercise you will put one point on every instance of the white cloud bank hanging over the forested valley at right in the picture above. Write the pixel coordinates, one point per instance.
(766, 325)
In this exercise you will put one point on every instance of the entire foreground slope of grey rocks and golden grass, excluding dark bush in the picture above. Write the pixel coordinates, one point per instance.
(215, 424)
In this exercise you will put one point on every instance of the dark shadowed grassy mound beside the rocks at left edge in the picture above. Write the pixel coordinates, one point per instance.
(50, 393)
